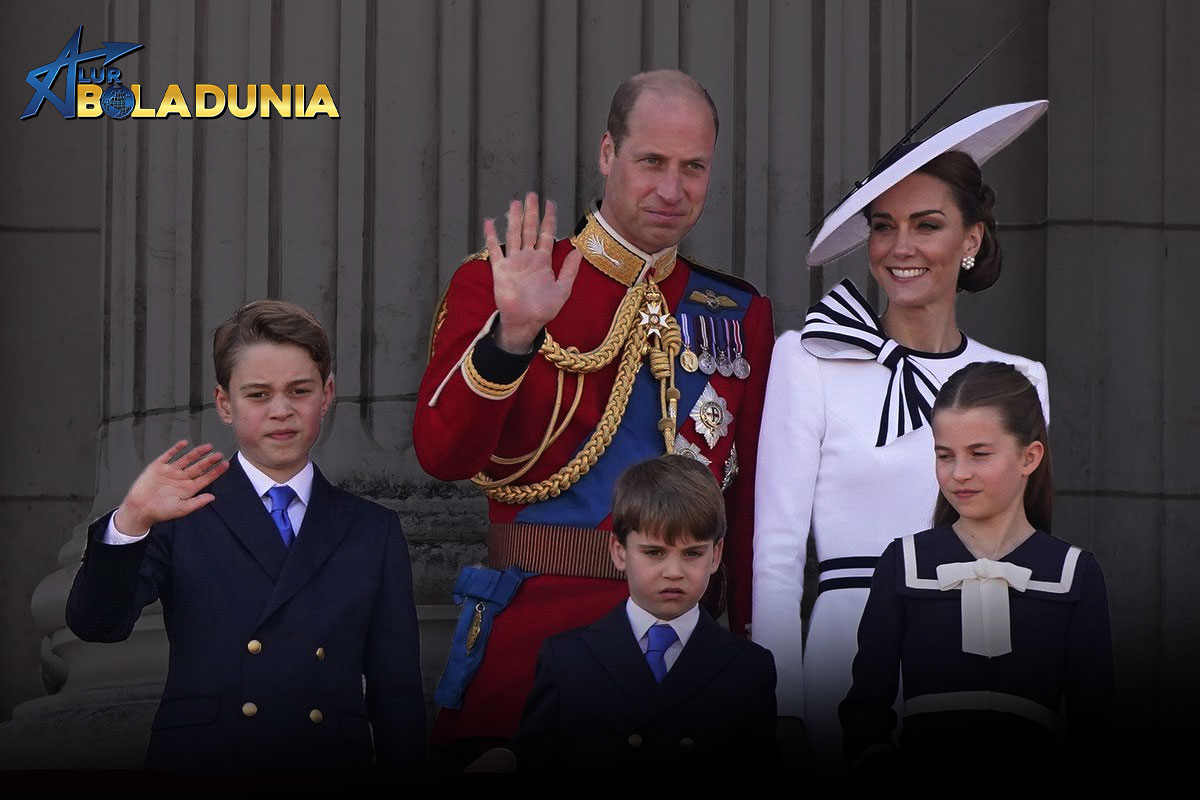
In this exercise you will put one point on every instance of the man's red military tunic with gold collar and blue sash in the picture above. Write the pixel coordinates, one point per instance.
(469, 413)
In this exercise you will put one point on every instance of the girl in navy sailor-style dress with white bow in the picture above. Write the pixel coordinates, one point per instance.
(999, 630)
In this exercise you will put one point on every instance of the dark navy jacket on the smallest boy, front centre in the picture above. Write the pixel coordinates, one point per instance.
(596, 705)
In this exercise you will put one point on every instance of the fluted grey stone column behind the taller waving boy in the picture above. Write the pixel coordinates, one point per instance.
(202, 215)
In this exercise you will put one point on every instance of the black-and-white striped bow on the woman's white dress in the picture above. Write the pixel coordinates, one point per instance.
(844, 326)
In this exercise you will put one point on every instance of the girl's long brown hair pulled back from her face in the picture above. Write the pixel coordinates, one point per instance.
(992, 384)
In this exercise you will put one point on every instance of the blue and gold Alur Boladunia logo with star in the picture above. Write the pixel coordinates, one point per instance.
(97, 92)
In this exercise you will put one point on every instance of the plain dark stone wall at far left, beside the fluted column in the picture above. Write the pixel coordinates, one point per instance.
(50, 233)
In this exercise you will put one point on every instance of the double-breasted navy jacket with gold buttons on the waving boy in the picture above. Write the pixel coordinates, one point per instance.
(281, 659)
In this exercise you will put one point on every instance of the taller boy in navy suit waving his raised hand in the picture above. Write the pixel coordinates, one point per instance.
(287, 601)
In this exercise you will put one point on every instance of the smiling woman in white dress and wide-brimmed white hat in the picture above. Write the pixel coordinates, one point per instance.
(848, 454)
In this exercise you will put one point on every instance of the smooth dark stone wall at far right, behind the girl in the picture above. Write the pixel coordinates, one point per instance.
(1121, 294)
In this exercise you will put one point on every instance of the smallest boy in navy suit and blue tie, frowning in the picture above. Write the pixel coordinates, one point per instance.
(656, 683)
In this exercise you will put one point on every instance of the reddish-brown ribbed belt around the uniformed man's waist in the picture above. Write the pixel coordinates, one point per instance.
(551, 550)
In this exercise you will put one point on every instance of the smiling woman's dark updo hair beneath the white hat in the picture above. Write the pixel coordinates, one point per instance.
(976, 202)
